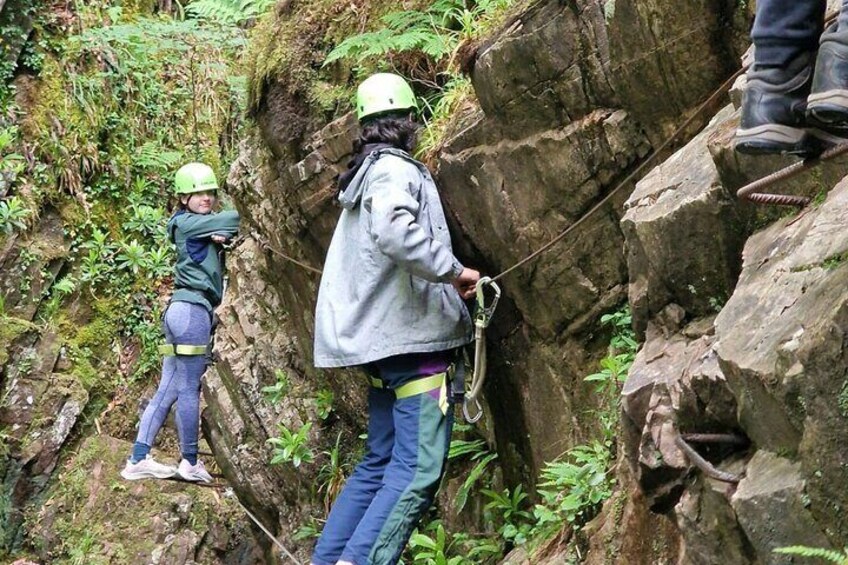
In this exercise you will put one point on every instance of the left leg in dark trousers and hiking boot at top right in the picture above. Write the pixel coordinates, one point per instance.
(785, 36)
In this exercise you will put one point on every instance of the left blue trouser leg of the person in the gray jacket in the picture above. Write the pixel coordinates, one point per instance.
(364, 482)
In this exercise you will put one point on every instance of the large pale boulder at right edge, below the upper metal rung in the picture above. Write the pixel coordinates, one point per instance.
(784, 363)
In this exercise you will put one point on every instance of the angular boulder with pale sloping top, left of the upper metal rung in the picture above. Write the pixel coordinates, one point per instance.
(684, 231)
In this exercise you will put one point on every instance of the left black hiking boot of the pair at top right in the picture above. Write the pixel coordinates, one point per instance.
(773, 110)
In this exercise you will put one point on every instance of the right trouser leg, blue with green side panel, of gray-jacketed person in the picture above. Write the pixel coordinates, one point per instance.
(422, 436)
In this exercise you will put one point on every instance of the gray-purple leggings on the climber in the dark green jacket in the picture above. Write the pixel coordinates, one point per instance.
(185, 324)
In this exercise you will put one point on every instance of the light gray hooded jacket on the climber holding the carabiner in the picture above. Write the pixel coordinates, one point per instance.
(386, 284)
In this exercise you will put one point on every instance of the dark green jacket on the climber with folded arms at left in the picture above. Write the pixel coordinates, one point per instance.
(198, 274)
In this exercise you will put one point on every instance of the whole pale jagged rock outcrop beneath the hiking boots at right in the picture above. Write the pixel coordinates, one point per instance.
(768, 368)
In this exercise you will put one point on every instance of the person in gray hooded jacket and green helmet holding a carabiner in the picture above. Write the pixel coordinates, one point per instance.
(391, 301)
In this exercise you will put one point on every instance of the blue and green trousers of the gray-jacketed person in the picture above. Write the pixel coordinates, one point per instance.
(396, 481)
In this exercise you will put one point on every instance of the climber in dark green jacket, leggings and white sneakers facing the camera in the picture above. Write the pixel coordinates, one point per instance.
(198, 234)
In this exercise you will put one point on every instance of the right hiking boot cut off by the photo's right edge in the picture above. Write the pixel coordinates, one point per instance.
(827, 105)
